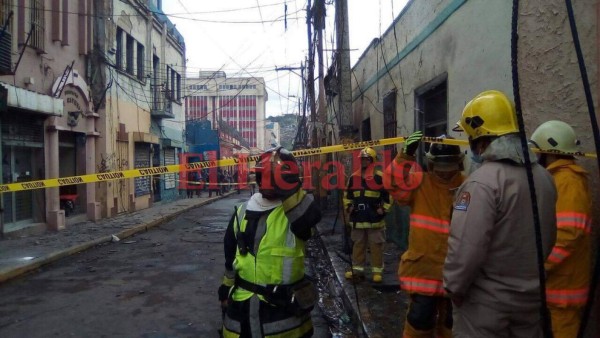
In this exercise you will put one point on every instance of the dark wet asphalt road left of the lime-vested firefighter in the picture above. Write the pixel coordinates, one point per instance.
(161, 283)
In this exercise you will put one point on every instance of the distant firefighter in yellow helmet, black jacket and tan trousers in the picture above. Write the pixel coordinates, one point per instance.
(366, 202)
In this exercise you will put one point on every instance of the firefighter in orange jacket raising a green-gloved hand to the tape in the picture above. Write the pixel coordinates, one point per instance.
(430, 199)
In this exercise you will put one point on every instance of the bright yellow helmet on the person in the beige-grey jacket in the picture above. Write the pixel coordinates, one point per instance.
(490, 113)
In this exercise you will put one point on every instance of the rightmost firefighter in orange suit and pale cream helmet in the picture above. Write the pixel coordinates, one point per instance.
(568, 267)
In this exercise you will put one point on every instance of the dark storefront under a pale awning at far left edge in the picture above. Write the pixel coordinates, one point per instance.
(22, 149)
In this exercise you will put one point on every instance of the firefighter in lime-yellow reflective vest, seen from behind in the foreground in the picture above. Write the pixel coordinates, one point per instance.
(264, 291)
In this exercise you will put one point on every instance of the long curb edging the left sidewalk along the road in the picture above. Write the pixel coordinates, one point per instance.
(10, 273)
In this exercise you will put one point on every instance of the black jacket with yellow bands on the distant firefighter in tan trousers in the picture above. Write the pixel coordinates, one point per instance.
(365, 193)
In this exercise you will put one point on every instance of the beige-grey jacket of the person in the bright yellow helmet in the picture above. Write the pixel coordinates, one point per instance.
(492, 254)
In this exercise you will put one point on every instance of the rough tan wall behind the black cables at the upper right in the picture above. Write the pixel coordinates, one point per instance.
(551, 86)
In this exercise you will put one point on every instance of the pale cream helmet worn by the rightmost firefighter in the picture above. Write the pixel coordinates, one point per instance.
(555, 135)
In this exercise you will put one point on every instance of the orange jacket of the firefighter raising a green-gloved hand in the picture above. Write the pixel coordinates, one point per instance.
(430, 201)
